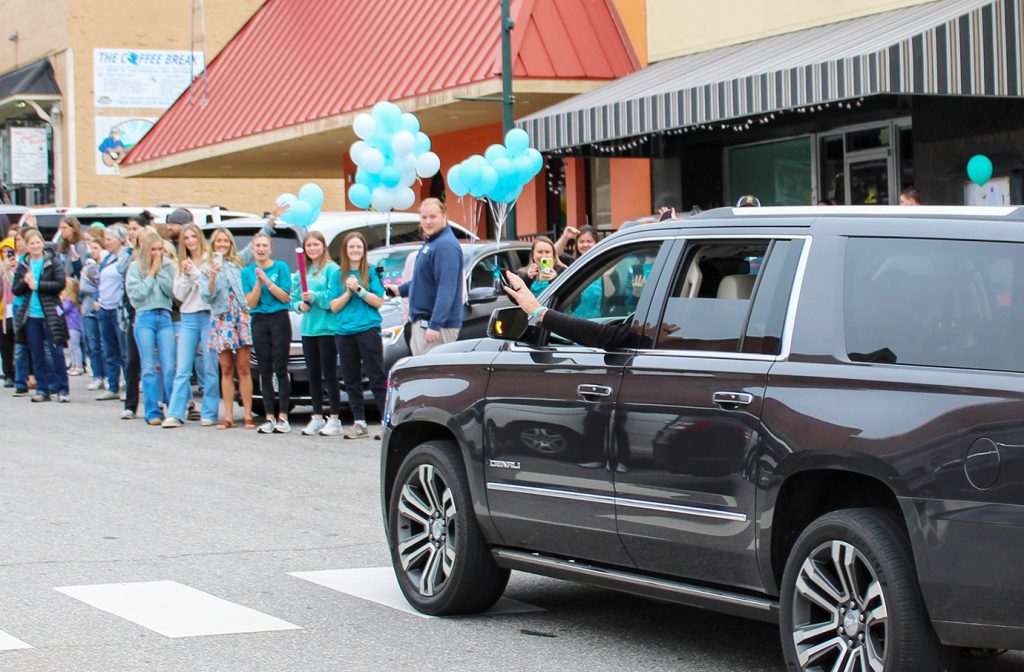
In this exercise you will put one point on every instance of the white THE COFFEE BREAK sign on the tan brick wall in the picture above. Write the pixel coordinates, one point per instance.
(142, 78)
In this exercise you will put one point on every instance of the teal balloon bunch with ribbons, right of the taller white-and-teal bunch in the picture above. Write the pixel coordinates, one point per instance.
(499, 176)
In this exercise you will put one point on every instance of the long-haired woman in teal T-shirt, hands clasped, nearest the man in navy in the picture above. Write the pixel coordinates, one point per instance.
(360, 296)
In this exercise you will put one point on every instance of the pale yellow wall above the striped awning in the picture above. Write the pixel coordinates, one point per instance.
(679, 27)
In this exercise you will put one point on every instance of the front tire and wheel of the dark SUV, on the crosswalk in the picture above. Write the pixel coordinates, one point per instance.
(440, 556)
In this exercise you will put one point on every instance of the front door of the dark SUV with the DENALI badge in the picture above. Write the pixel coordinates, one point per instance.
(548, 415)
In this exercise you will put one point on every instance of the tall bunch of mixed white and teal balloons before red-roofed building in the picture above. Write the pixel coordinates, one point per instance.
(392, 155)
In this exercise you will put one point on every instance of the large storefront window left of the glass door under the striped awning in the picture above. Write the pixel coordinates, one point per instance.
(778, 174)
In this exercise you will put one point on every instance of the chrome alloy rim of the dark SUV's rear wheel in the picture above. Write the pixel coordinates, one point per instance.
(839, 612)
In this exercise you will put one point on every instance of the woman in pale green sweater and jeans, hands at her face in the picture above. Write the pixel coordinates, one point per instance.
(150, 286)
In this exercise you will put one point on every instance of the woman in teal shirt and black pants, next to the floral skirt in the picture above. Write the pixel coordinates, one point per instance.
(268, 284)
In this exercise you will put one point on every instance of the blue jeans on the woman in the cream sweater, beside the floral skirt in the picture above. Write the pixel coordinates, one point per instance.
(195, 331)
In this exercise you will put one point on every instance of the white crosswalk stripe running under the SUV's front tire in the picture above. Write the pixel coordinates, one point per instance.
(379, 585)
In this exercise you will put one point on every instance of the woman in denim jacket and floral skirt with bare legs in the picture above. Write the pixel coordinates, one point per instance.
(231, 327)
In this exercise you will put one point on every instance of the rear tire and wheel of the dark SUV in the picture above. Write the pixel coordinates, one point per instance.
(850, 580)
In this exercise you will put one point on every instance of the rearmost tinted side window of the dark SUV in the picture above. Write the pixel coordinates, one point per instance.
(938, 304)
